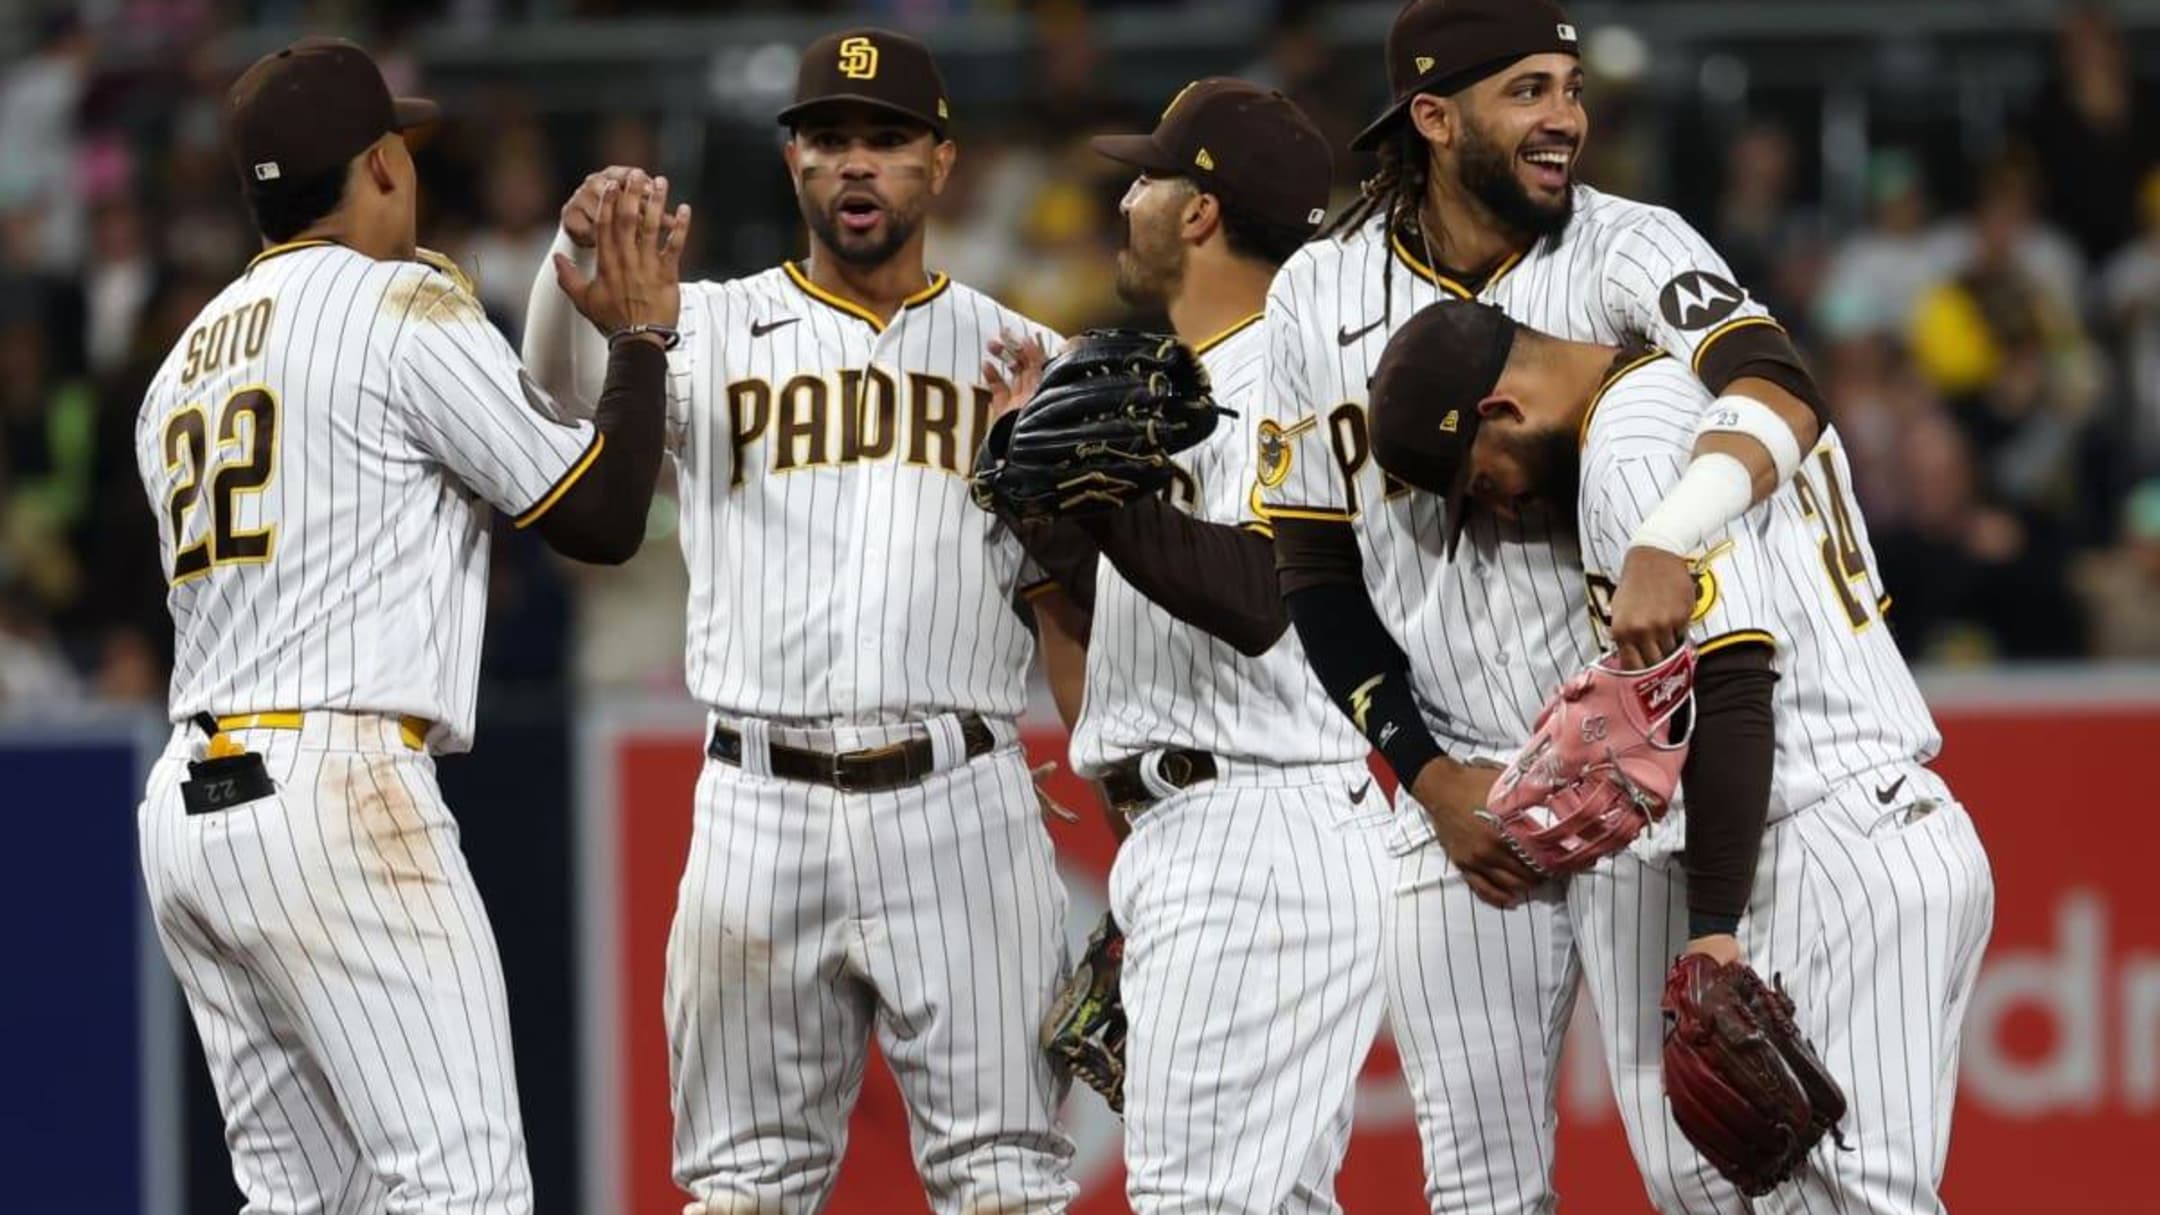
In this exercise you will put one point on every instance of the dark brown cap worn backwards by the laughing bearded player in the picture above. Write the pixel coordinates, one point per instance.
(1446, 46)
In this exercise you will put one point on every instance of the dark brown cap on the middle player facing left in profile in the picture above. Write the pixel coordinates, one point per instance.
(1245, 144)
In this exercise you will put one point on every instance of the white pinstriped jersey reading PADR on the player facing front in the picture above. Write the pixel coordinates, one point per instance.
(839, 572)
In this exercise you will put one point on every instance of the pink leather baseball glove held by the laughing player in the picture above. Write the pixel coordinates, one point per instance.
(1602, 764)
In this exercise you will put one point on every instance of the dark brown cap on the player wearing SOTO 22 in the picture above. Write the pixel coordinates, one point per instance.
(310, 109)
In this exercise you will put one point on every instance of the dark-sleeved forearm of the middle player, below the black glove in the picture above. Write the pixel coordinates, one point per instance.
(1211, 576)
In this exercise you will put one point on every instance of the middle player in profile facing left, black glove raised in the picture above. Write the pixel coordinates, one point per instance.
(1250, 887)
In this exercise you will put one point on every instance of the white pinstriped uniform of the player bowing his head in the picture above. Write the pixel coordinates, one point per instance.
(1874, 909)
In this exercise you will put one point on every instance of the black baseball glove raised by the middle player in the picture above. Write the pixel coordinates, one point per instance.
(1101, 431)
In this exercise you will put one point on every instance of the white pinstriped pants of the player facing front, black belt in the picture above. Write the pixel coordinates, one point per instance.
(809, 920)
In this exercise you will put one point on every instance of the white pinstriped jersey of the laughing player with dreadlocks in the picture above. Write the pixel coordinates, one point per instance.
(1496, 632)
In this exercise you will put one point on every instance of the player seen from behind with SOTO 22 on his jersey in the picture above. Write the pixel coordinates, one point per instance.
(323, 451)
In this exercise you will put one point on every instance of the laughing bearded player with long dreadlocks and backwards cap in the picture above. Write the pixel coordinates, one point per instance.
(1446, 660)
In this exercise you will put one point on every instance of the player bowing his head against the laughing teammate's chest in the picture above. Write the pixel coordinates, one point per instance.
(1874, 894)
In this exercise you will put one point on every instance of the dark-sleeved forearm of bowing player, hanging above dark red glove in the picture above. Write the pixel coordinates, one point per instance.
(1727, 786)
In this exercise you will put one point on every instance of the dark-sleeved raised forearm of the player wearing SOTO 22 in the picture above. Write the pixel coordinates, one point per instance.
(602, 518)
